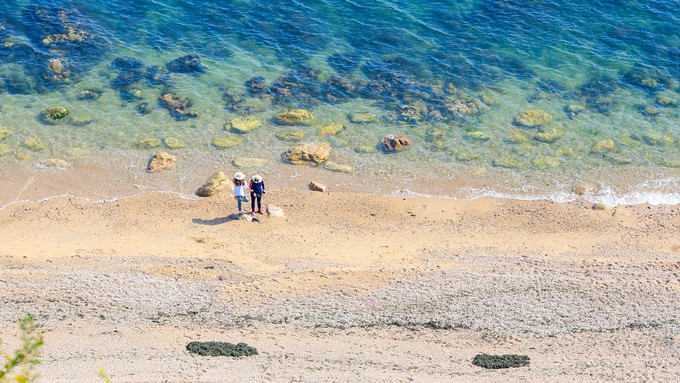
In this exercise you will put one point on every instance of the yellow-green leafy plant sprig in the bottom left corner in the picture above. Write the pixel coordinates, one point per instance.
(25, 358)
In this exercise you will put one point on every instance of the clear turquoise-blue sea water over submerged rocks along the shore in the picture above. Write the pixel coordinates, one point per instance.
(453, 76)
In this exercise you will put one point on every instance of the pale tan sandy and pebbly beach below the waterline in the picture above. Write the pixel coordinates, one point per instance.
(348, 287)
